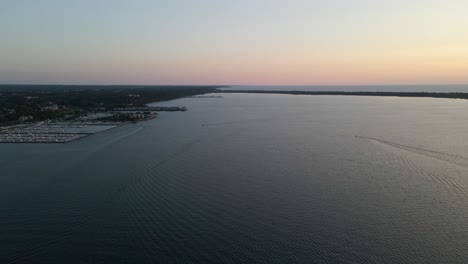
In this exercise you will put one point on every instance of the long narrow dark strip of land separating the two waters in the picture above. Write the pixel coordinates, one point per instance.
(449, 95)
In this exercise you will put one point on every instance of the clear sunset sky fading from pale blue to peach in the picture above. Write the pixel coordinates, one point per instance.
(253, 42)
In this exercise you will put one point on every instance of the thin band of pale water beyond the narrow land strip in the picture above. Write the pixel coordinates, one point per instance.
(363, 88)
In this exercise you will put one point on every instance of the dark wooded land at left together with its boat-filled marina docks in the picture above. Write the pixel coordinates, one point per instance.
(64, 113)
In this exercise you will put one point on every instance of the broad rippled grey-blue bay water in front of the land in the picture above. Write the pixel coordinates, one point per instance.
(248, 178)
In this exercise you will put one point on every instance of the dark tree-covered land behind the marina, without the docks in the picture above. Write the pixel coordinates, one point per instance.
(43, 102)
